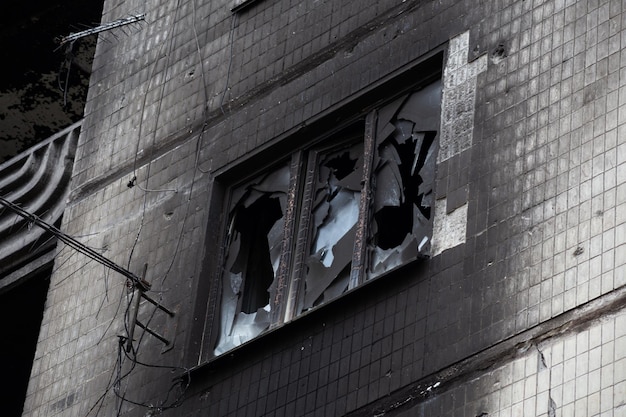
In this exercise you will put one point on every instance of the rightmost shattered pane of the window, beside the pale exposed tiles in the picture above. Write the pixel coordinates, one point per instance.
(404, 171)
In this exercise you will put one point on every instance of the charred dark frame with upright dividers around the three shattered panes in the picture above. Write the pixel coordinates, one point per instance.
(203, 338)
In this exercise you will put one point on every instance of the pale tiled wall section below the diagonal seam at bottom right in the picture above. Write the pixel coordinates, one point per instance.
(577, 374)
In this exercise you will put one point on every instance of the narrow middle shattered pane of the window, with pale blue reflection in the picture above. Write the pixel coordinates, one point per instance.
(334, 217)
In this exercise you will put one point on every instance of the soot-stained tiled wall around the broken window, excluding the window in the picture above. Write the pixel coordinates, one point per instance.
(531, 171)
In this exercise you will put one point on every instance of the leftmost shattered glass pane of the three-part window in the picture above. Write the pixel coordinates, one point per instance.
(252, 257)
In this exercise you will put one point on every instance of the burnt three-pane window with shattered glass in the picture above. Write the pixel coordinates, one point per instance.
(349, 208)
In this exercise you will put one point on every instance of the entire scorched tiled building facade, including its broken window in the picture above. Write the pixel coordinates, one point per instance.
(356, 208)
